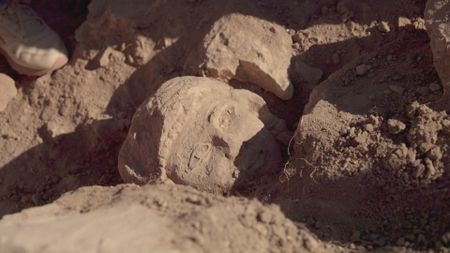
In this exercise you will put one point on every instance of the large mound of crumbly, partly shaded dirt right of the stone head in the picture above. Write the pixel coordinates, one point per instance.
(370, 148)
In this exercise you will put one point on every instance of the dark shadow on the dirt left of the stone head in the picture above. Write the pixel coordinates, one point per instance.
(40, 175)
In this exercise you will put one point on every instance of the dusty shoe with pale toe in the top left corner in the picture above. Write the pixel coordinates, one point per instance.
(30, 46)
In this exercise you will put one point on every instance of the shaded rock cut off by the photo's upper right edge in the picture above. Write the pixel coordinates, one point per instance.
(437, 21)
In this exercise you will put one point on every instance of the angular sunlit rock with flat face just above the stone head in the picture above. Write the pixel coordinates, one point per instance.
(248, 49)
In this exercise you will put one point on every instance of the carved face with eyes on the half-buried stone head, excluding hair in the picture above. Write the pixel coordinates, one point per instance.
(224, 142)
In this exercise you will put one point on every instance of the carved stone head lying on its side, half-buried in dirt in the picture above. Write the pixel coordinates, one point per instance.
(201, 132)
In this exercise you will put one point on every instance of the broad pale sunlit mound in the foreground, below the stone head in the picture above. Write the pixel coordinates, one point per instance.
(164, 218)
